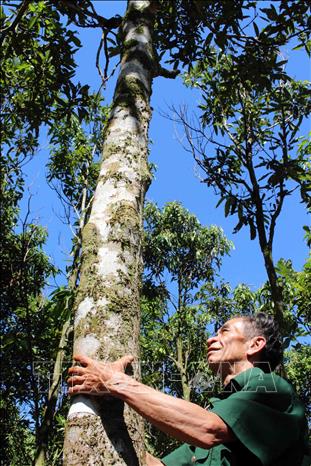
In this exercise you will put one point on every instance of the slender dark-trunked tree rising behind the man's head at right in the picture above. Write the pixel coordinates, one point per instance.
(249, 149)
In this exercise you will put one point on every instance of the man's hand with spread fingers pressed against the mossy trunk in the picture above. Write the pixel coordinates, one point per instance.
(91, 377)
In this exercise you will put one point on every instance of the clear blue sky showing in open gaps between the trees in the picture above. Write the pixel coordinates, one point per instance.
(176, 177)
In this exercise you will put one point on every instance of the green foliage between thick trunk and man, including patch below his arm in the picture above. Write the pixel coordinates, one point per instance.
(180, 257)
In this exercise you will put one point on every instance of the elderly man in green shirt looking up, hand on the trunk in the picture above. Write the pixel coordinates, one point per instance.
(258, 419)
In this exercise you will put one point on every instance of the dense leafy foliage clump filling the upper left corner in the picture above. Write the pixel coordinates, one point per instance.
(38, 70)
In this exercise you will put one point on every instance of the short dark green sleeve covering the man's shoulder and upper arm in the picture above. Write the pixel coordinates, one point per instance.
(266, 422)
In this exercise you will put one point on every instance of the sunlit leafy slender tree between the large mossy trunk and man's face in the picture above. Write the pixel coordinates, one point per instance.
(176, 244)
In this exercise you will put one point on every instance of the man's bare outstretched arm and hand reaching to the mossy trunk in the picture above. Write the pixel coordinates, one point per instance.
(181, 419)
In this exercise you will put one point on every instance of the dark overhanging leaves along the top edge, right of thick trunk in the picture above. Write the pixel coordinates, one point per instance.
(187, 31)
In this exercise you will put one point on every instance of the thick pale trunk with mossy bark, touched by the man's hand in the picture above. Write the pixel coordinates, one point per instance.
(102, 431)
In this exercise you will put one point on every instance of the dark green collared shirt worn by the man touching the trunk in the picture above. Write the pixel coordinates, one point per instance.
(266, 417)
